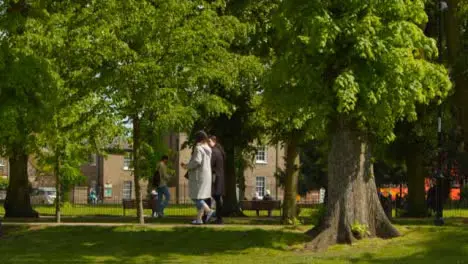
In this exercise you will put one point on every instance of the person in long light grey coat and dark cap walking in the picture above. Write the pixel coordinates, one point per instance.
(200, 177)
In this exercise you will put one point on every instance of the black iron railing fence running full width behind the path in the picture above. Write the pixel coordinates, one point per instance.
(82, 204)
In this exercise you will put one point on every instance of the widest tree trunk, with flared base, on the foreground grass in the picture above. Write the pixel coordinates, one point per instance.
(352, 193)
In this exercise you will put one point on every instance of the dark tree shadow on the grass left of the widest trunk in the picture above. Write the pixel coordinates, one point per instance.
(122, 244)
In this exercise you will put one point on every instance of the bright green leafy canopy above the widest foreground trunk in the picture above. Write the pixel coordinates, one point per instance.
(369, 62)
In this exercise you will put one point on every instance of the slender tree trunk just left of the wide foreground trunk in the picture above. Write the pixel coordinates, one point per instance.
(292, 176)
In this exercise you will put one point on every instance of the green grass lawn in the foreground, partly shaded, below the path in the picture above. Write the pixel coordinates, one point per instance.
(229, 244)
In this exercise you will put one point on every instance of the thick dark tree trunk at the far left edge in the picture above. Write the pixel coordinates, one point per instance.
(18, 201)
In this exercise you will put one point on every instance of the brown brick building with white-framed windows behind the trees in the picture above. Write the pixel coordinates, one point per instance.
(112, 176)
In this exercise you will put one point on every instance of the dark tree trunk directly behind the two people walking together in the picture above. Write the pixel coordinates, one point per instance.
(231, 204)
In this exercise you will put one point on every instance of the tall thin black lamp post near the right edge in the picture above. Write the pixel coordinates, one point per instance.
(439, 219)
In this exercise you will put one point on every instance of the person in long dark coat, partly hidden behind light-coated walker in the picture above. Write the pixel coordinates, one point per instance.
(217, 168)
